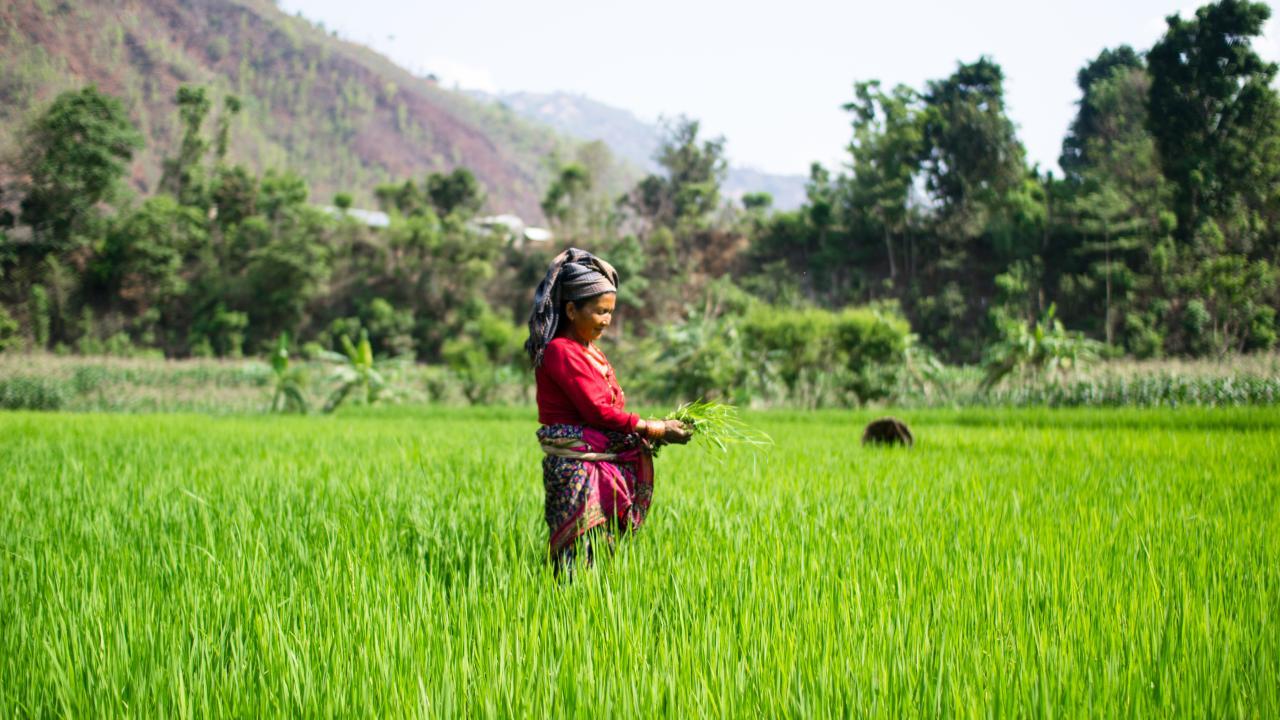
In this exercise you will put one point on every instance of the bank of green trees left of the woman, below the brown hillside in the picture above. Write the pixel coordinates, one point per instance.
(222, 262)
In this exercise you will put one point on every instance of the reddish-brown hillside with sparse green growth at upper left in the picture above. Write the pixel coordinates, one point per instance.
(337, 113)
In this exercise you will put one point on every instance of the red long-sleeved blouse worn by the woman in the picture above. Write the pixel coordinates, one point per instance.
(577, 386)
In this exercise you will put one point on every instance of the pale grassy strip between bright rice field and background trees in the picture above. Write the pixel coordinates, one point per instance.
(222, 388)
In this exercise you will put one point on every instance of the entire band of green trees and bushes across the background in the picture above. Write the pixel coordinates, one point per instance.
(1159, 239)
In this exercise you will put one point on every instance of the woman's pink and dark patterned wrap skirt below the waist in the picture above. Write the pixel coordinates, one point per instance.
(593, 479)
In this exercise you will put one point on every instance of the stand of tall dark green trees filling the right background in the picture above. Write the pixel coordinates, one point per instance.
(1159, 239)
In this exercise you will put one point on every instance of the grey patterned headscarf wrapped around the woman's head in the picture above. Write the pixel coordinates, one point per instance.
(574, 275)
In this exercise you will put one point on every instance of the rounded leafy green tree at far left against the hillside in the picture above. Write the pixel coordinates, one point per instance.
(76, 154)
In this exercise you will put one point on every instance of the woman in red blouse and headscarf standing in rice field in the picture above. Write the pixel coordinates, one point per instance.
(598, 468)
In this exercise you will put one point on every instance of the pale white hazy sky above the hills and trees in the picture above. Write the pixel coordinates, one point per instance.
(771, 78)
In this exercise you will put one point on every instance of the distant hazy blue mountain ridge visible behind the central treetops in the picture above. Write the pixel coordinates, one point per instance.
(636, 140)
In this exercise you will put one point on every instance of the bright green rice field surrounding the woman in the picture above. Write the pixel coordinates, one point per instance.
(391, 563)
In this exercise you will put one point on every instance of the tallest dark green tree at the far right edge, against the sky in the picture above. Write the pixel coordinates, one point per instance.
(1217, 121)
